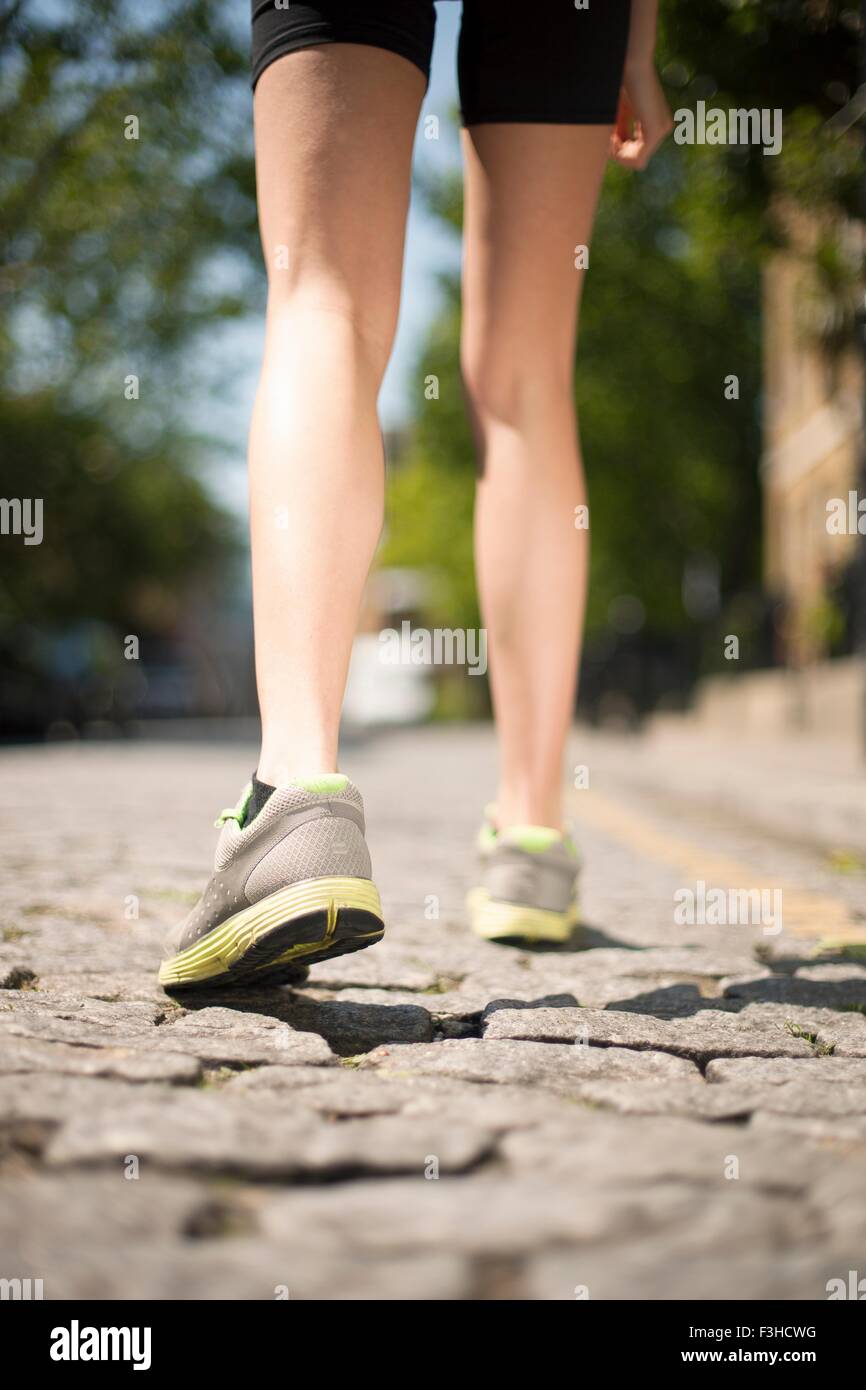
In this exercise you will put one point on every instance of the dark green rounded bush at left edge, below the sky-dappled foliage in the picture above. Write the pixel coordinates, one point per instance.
(126, 528)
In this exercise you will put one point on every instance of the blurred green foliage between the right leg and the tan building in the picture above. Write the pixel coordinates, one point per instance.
(672, 464)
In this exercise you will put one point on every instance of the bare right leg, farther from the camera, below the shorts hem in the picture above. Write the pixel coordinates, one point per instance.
(530, 201)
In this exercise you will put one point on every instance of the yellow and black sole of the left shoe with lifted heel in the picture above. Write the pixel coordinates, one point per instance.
(304, 922)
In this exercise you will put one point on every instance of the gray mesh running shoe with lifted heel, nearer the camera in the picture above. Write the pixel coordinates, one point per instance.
(290, 889)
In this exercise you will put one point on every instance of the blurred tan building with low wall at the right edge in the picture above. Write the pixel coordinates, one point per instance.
(812, 489)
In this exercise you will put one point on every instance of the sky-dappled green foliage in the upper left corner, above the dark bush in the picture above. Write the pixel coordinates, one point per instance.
(113, 247)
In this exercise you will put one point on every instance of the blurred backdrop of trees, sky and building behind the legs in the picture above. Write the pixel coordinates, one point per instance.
(131, 323)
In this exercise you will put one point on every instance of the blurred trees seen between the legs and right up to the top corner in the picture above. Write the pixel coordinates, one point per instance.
(672, 315)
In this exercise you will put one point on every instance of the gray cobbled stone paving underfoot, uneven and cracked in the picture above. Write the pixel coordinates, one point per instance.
(660, 1111)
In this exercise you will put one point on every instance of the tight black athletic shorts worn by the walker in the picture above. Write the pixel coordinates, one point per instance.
(548, 62)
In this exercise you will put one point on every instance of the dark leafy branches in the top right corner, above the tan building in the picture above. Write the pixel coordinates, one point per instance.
(800, 58)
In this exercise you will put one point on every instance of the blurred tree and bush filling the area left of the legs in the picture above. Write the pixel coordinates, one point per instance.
(127, 233)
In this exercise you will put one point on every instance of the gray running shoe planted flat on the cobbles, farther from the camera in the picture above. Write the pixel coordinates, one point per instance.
(528, 885)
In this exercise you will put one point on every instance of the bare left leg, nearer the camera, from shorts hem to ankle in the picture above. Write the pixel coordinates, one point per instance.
(334, 134)
